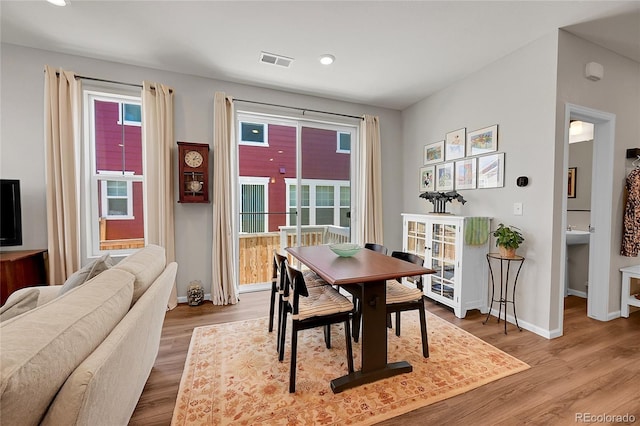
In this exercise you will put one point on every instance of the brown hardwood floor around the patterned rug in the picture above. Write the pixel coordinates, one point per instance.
(594, 369)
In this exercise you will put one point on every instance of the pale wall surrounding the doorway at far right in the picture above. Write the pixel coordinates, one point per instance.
(617, 93)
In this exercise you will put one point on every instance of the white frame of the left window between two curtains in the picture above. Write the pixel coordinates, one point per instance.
(90, 176)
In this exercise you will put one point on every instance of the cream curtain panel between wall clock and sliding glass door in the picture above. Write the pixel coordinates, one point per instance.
(224, 288)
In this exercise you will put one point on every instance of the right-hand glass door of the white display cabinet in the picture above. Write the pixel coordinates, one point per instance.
(443, 259)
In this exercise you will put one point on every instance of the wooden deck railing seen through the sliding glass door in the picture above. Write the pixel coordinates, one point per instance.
(256, 250)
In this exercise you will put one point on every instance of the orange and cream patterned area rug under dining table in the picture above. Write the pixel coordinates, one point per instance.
(232, 375)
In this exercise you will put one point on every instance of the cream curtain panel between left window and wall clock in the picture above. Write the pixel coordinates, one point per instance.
(157, 113)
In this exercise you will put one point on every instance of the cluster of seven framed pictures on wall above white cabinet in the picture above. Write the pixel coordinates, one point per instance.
(463, 160)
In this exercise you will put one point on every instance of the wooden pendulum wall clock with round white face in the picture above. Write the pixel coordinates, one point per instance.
(193, 172)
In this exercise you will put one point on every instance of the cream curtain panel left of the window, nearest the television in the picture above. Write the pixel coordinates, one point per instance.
(61, 121)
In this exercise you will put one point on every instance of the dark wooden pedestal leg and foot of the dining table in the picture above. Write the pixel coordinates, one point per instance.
(374, 342)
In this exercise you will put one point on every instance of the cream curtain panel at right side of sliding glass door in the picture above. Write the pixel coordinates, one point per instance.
(371, 228)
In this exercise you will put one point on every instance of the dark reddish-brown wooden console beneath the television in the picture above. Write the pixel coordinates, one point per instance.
(22, 268)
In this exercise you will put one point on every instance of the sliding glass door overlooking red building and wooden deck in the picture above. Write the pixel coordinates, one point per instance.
(294, 189)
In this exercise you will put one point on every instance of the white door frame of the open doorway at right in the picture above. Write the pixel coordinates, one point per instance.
(600, 212)
